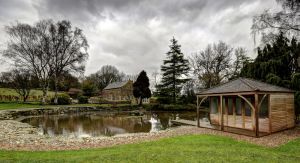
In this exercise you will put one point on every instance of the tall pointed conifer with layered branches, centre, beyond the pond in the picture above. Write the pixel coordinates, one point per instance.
(174, 70)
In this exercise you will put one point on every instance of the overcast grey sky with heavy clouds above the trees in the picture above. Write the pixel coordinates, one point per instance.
(134, 34)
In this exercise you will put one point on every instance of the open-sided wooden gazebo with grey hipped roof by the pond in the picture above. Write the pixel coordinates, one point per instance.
(246, 106)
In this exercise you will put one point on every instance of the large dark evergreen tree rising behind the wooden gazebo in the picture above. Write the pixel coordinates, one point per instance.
(276, 62)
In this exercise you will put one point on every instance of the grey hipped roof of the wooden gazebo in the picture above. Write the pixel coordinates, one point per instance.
(244, 85)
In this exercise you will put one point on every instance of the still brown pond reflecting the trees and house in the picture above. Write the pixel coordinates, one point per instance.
(90, 124)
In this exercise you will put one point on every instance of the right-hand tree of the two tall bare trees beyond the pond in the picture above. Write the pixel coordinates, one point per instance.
(68, 48)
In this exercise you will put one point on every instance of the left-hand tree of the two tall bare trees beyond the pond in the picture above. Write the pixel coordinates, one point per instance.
(28, 48)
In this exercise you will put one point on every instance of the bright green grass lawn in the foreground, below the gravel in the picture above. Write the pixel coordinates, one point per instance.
(198, 148)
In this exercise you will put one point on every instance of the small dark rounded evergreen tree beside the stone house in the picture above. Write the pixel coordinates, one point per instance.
(141, 87)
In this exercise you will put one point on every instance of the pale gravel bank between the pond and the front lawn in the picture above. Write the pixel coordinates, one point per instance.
(21, 136)
